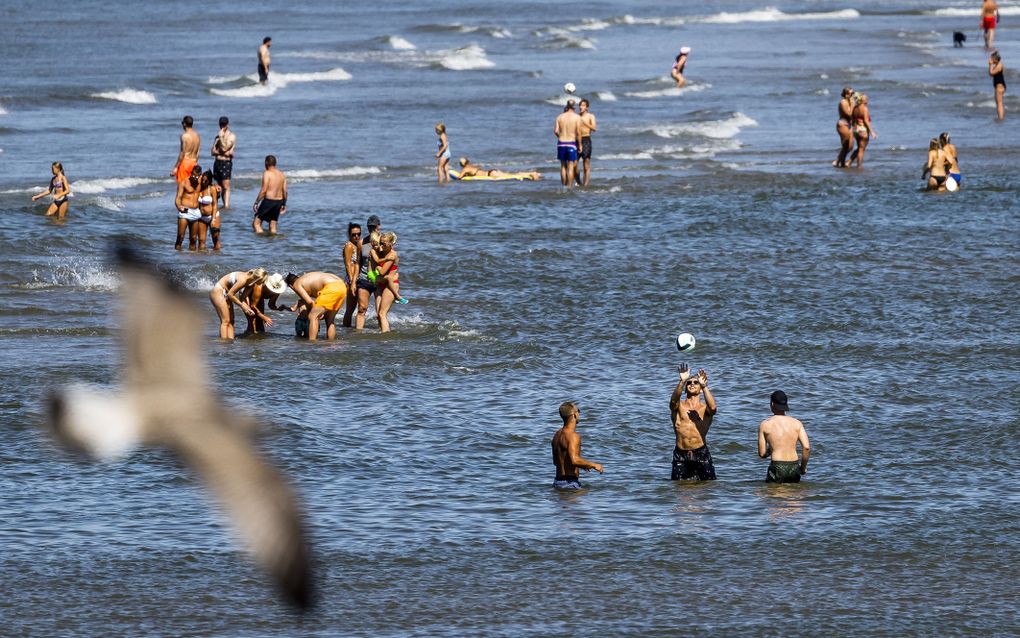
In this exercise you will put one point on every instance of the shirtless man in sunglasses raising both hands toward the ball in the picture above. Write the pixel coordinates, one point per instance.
(692, 419)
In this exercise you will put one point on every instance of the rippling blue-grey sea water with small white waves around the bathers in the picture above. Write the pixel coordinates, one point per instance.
(887, 314)
